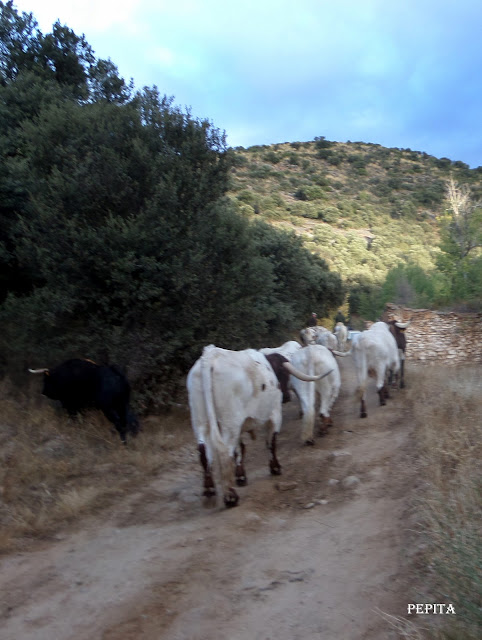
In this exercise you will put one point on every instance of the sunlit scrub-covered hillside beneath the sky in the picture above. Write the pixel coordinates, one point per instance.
(362, 207)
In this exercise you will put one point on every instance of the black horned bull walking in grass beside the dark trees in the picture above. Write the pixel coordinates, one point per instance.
(80, 384)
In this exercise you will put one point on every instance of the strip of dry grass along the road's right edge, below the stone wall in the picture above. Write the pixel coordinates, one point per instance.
(447, 405)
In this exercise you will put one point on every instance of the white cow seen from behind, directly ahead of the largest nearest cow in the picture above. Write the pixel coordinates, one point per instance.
(313, 360)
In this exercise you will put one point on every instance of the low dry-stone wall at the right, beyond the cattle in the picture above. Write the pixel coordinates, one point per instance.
(437, 336)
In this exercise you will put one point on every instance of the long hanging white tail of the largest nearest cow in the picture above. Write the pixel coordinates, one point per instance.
(221, 458)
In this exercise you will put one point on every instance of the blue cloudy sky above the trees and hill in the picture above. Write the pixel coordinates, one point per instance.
(400, 73)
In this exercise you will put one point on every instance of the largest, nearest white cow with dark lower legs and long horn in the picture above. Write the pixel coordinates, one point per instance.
(231, 392)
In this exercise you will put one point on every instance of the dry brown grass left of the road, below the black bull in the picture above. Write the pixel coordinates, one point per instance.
(54, 470)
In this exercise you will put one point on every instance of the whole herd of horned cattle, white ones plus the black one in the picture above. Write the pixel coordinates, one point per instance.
(233, 392)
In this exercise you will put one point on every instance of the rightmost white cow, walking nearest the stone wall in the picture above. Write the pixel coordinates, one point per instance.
(375, 353)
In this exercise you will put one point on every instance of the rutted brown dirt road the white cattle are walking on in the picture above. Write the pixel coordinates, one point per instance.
(302, 557)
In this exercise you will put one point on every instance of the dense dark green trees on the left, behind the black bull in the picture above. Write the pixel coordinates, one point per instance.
(117, 241)
